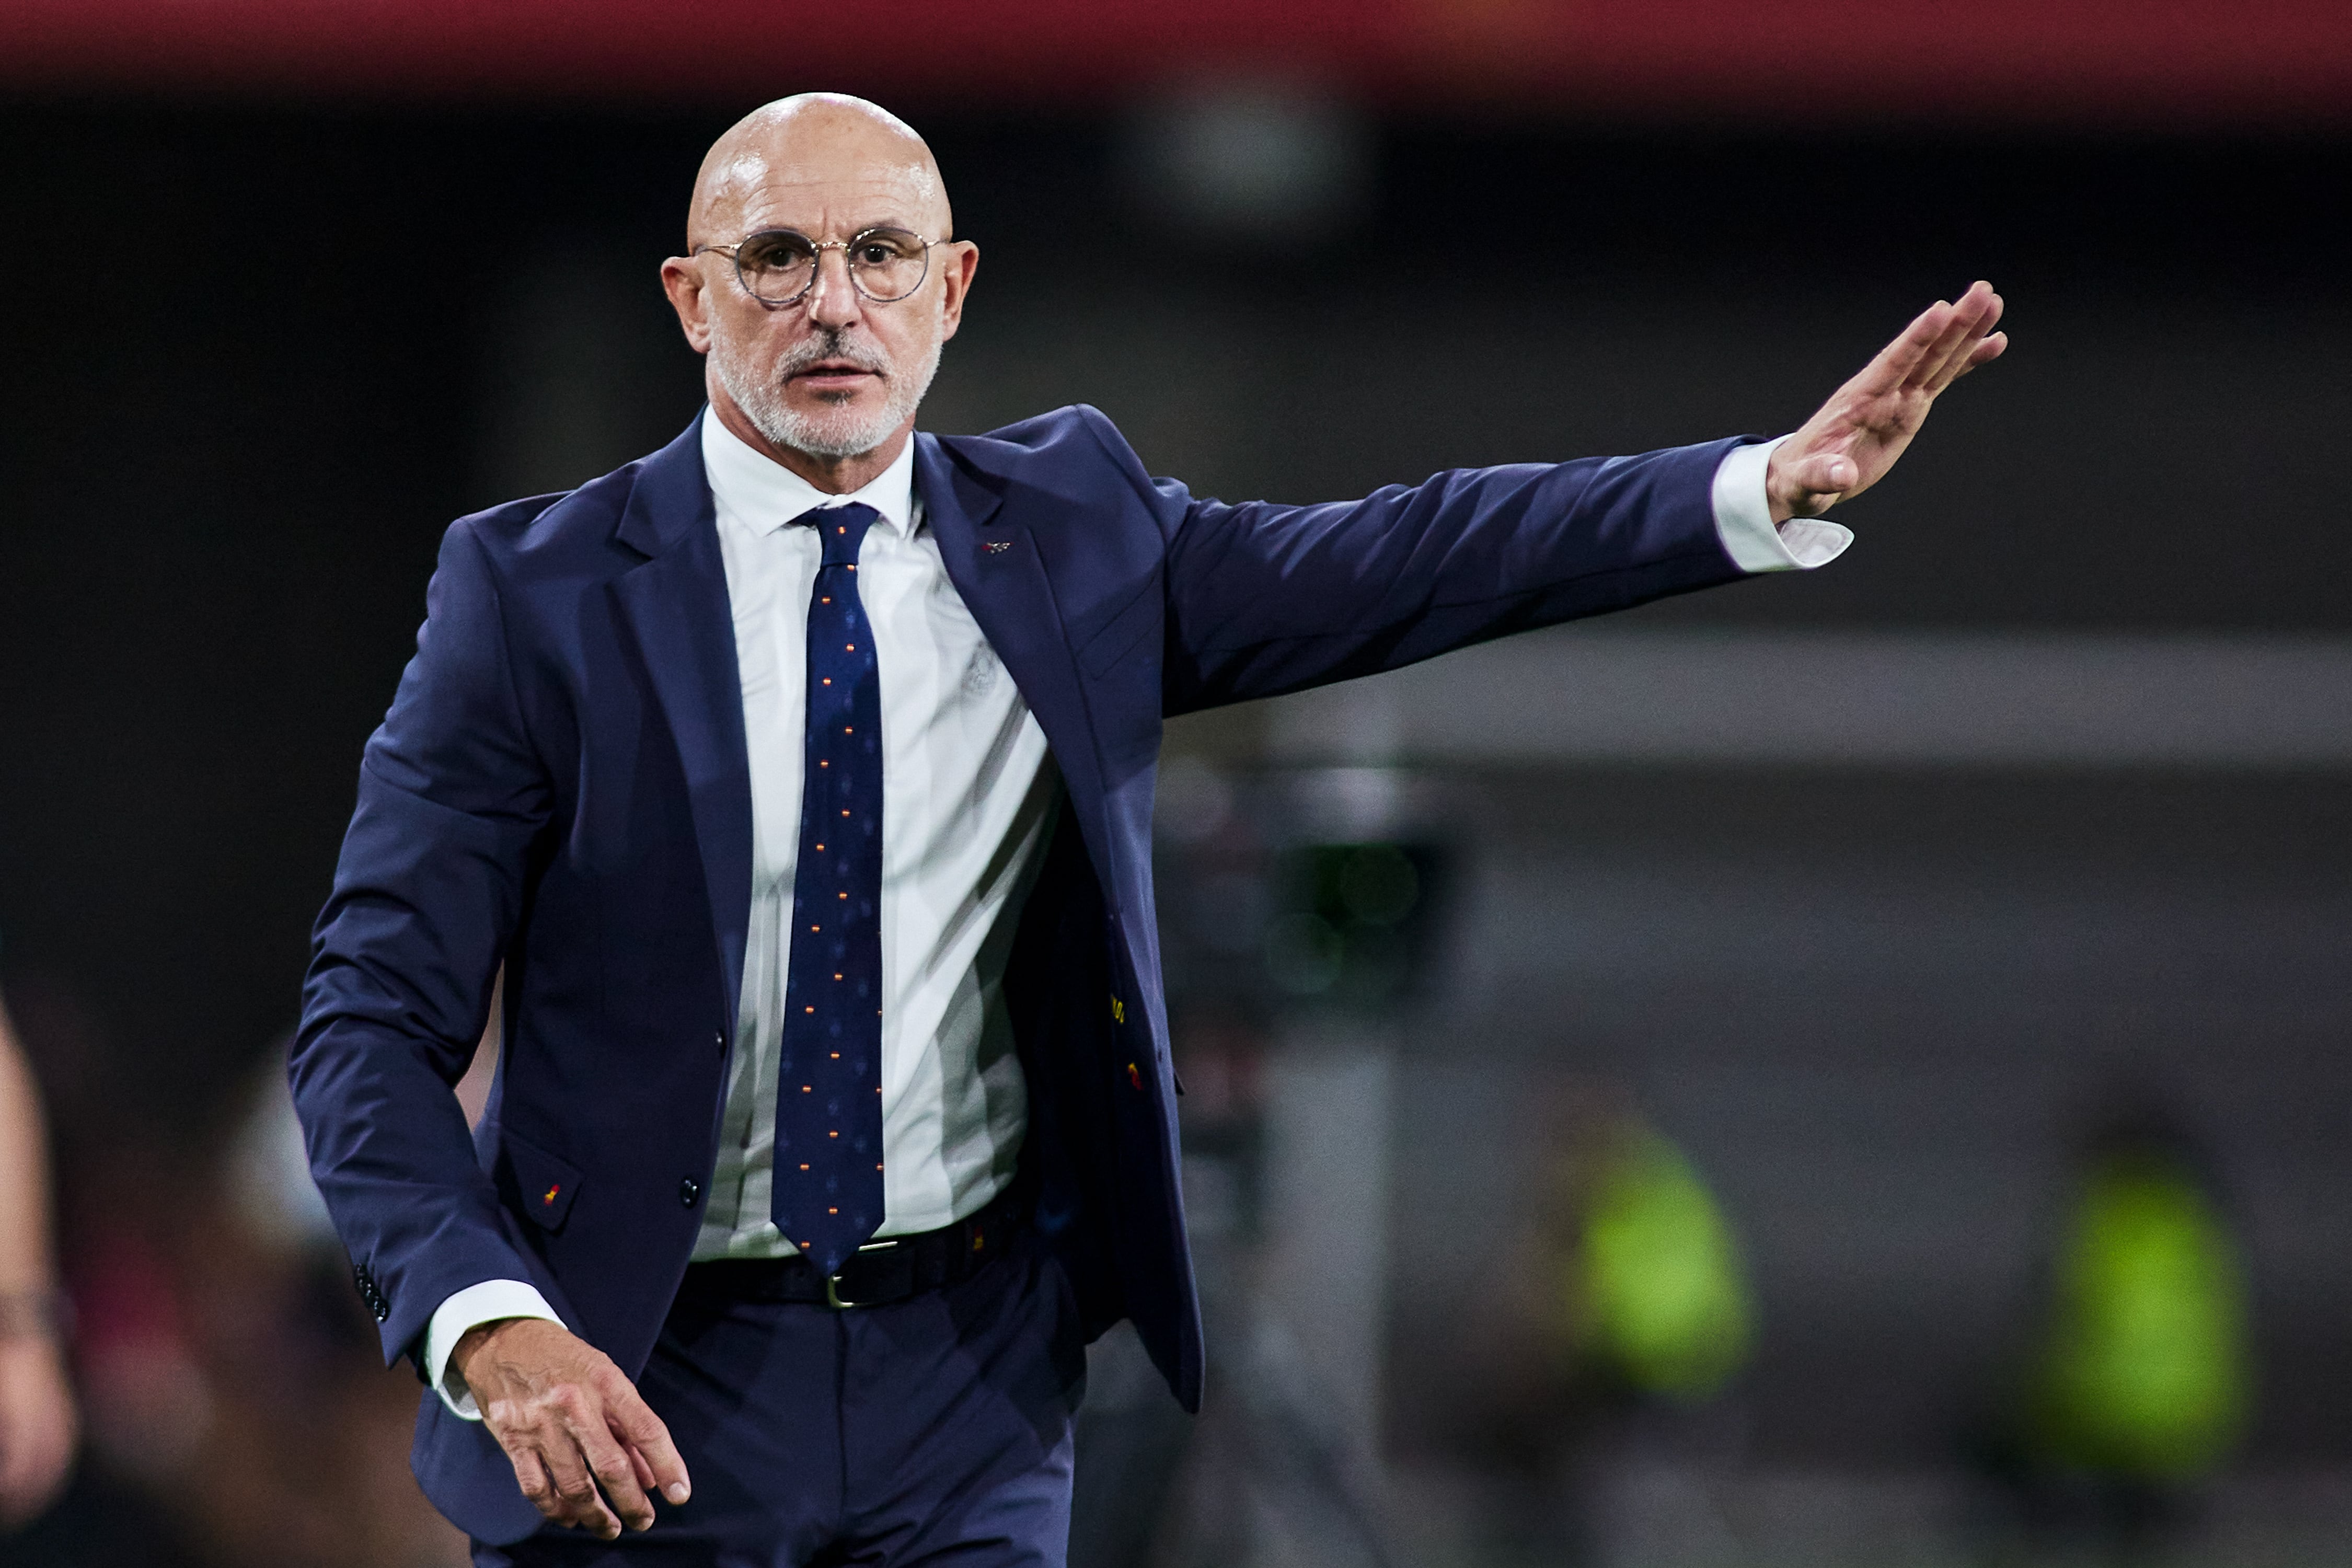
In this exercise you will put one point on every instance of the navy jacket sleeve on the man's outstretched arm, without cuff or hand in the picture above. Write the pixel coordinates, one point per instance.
(1276, 598)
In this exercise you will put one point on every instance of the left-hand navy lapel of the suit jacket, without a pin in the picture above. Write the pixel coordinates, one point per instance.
(676, 605)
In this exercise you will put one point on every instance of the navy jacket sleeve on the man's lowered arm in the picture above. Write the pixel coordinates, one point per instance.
(427, 894)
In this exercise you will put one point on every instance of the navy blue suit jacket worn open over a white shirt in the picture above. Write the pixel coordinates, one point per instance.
(561, 786)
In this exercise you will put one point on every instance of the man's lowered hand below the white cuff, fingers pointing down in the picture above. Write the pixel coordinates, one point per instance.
(570, 1423)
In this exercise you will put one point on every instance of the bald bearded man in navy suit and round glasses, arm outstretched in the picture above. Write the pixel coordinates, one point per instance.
(801, 779)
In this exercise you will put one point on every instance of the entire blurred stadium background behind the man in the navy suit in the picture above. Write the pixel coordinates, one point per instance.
(1836, 1071)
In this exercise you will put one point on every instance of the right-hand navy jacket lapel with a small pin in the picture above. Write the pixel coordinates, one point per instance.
(1001, 575)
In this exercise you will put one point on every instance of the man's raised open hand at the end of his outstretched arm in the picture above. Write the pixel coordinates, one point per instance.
(1864, 429)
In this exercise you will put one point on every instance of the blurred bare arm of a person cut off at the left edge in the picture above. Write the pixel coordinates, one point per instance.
(39, 1423)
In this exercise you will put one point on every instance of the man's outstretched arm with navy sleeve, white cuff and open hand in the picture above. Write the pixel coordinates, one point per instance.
(1276, 598)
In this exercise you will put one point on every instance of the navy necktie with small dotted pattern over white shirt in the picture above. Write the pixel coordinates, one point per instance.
(829, 1068)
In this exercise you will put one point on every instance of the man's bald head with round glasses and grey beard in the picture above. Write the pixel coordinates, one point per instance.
(836, 375)
